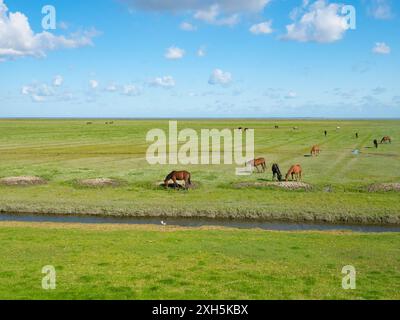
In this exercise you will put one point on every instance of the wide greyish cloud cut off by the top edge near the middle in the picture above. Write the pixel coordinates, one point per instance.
(217, 12)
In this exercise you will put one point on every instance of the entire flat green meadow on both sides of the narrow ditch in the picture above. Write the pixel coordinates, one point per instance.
(166, 262)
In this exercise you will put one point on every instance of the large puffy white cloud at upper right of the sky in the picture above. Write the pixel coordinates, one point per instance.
(320, 22)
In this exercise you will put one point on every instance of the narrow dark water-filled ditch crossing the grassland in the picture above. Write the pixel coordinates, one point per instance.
(198, 222)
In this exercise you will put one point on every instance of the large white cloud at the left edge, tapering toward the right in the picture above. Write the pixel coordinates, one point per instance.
(17, 39)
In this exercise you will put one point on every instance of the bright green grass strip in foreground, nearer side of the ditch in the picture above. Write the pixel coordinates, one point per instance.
(144, 262)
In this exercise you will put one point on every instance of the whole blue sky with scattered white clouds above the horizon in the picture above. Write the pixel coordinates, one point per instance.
(192, 58)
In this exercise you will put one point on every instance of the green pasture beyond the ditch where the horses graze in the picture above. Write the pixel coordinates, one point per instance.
(64, 151)
